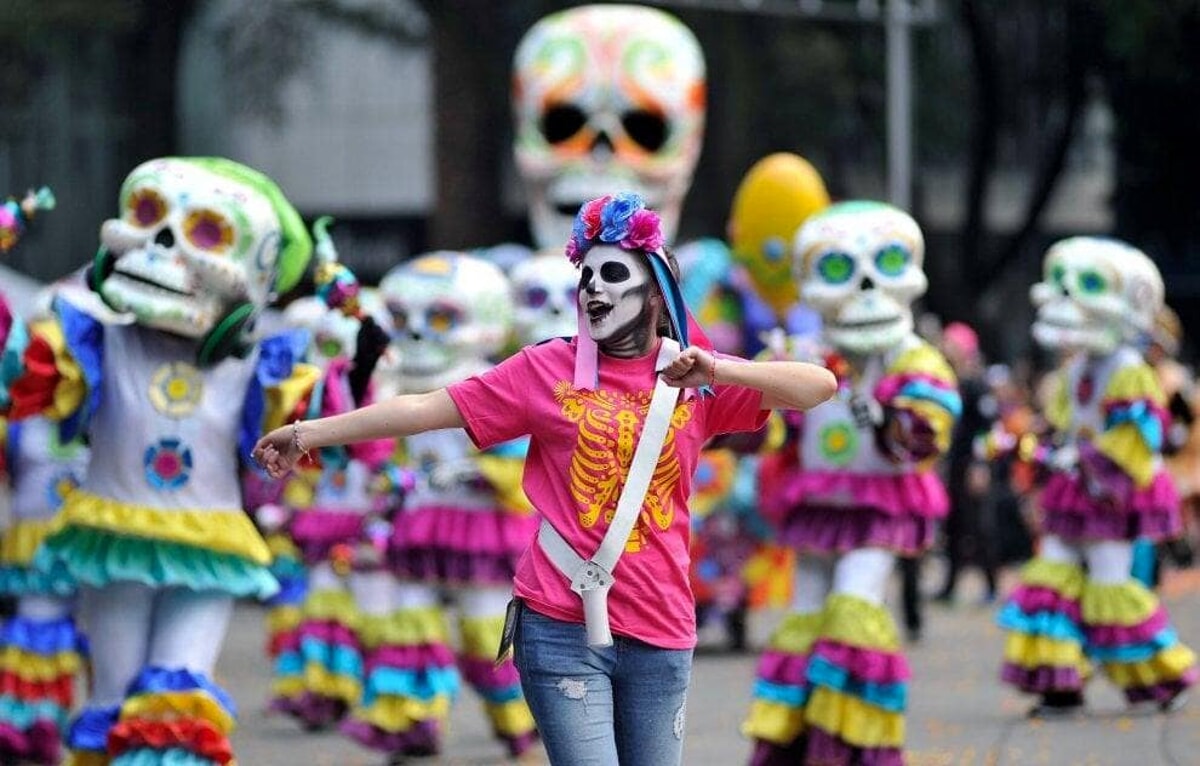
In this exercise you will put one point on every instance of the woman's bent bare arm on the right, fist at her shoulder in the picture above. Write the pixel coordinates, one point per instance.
(784, 385)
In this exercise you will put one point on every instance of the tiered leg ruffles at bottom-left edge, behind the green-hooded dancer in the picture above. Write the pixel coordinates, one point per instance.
(39, 665)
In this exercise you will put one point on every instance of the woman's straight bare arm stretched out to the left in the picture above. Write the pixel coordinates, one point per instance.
(401, 416)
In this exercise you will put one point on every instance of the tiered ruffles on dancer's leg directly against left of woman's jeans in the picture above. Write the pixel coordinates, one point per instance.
(499, 684)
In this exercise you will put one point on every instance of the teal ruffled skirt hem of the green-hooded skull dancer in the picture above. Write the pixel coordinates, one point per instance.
(98, 558)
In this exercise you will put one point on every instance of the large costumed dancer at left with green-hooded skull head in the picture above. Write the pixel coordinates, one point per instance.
(157, 535)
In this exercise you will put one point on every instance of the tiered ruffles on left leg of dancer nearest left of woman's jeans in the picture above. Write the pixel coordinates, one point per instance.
(411, 684)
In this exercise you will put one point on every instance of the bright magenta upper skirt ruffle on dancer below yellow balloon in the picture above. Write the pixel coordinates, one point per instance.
(920, 494)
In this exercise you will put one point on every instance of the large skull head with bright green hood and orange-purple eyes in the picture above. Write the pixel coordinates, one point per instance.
(200, 248)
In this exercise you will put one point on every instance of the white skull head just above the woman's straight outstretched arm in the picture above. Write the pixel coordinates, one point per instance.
(451, 313)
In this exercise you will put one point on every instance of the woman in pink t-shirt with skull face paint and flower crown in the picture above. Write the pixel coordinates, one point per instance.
(584, 403)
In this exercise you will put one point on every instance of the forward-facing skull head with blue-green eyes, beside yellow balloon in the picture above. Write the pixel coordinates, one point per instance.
(860, 266)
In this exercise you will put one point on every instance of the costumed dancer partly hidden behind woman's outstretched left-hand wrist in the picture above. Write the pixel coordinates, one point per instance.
(329, 507)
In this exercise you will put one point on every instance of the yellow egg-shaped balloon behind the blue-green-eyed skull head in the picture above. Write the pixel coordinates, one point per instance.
(776, 198)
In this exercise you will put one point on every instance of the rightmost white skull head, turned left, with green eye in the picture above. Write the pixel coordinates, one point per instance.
(1096, 295)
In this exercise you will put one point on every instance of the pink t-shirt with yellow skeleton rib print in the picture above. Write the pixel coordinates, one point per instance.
(580, 448)
